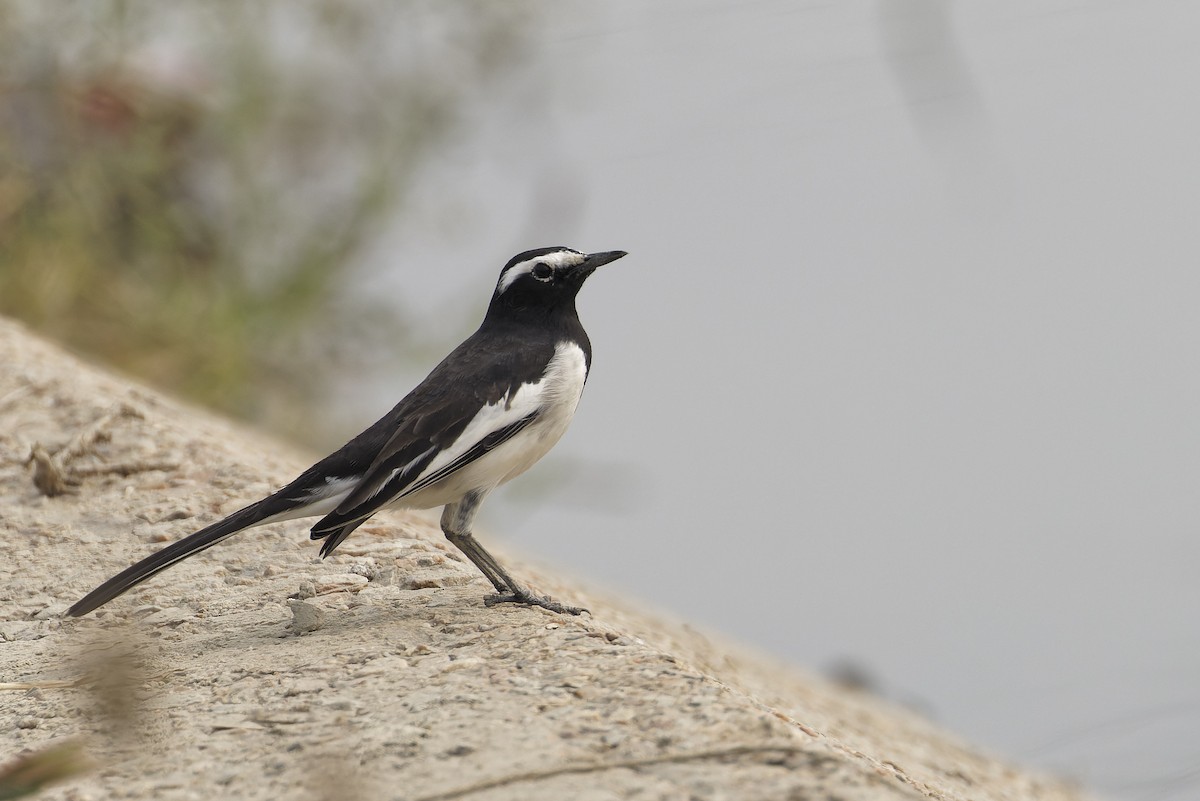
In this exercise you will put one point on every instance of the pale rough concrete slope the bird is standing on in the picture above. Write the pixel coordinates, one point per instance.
(399, 683)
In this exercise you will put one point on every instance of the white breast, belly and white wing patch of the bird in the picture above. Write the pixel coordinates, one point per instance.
(555, 399)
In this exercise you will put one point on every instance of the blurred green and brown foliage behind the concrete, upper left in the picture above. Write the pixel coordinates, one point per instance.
(185, 188)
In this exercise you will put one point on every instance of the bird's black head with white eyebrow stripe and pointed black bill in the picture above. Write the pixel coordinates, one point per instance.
(545, 280)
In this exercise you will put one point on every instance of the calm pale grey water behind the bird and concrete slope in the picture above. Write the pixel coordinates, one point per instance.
(902, 369)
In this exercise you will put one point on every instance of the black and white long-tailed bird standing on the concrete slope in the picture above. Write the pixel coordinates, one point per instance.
(485, 415)
